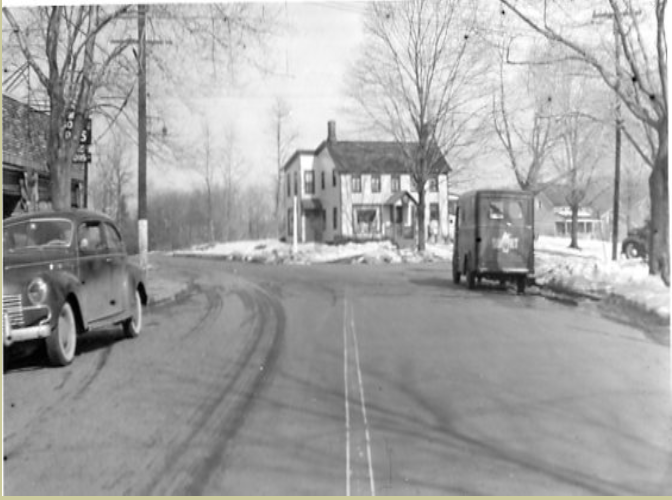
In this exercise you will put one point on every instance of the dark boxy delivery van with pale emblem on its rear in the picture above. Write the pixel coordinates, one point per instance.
(494, 237)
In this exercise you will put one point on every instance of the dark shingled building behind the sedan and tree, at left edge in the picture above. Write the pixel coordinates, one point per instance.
(25, 175)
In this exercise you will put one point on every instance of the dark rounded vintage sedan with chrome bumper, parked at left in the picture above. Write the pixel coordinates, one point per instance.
(64, 274)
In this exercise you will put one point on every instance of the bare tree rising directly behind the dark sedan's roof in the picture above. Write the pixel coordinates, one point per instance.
(74, 70)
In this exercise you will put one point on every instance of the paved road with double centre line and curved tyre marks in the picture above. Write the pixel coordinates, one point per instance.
(347, 380)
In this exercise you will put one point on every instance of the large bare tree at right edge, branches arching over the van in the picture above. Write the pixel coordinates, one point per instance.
(638, 79)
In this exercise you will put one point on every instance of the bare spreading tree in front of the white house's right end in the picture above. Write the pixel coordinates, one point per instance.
(417, 81)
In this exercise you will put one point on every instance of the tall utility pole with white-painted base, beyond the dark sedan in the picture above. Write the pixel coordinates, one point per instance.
(142, 136)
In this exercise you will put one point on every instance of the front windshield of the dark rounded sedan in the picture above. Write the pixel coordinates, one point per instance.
(37, 233)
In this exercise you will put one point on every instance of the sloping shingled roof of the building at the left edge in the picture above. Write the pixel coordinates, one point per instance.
(24, 135)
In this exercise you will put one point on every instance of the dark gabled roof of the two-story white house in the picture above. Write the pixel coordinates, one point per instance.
(373, 157)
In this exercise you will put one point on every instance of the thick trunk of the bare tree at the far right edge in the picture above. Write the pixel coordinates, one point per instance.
(659, 260)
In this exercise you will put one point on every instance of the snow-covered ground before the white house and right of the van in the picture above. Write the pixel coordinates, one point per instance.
(589, 270)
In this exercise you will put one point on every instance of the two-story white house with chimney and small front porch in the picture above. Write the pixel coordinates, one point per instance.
(358, 190)
